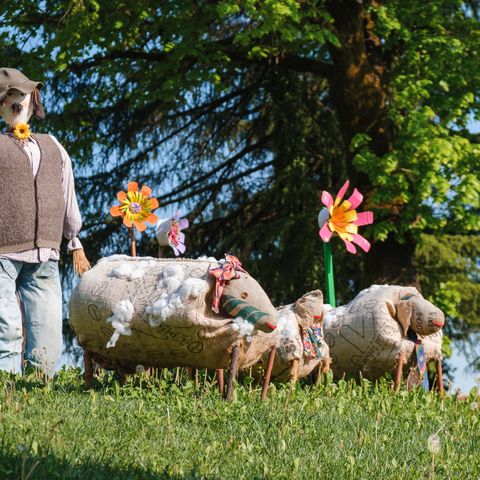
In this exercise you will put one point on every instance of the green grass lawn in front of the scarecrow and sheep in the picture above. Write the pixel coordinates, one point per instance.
(156, 429)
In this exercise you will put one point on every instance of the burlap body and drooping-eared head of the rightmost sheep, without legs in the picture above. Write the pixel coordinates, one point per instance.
(367, 335)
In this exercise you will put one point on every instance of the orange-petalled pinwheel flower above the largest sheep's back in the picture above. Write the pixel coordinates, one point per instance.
(136, 207)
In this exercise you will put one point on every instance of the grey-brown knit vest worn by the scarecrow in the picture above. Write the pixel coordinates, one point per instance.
(31, 208)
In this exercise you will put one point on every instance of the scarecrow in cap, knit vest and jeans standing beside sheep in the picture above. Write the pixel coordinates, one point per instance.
(38, 202)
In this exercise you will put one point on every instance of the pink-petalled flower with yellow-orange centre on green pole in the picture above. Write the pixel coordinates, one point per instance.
(340, 217)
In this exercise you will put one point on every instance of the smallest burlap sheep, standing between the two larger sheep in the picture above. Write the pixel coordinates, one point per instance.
(294, 321)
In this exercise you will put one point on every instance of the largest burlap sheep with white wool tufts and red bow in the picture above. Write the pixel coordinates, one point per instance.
(128, 311)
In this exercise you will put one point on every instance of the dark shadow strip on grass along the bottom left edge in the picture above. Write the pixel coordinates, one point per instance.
(14, 467)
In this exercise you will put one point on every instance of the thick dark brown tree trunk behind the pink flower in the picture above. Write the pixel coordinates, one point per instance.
(359, 87)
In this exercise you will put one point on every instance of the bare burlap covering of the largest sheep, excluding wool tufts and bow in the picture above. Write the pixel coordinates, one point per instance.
(192, 336)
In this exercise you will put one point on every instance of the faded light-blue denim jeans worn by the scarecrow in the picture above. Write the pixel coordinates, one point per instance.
(36, 287)
